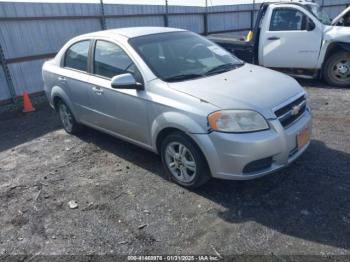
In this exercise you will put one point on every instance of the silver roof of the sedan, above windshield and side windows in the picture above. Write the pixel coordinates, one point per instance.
(131, 32)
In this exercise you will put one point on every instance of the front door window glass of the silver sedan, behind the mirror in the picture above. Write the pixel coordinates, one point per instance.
(110, 60)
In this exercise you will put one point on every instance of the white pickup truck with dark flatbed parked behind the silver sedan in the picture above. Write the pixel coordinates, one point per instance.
(297, 38)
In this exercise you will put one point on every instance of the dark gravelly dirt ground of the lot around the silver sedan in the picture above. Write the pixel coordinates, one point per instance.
(127, 206)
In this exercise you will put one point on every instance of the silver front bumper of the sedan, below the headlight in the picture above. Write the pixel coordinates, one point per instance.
(228, 155)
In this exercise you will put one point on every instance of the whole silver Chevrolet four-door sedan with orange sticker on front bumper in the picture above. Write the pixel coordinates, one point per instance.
(173, 92)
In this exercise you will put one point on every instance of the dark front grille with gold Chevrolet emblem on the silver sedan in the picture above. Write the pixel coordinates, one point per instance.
(288, 114)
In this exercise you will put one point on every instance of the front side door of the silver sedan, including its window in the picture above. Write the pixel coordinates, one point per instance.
(121, 111)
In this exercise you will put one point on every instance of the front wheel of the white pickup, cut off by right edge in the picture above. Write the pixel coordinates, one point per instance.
(336, 70)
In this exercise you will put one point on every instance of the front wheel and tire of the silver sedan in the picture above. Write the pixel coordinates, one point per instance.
(187, 168)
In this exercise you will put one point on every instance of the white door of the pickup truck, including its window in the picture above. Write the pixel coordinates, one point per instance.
(289, 38)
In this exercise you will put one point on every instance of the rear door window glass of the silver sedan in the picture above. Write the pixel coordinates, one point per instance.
(77, 56)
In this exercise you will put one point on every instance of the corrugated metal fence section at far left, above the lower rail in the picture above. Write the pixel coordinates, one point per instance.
(43, 36)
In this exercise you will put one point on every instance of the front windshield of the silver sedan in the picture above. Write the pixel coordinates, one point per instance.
(179, 56)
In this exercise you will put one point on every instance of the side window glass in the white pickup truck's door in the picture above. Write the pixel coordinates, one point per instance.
(288, 19)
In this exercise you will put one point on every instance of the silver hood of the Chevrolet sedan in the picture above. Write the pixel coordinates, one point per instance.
(248, 87)
